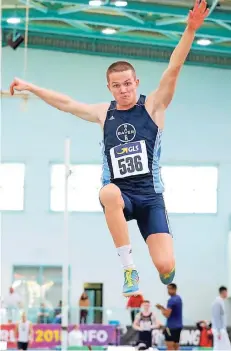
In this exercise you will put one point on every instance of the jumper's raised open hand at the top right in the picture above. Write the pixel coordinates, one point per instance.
(197, 15)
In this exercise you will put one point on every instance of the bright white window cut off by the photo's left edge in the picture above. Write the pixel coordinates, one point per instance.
(12, 186)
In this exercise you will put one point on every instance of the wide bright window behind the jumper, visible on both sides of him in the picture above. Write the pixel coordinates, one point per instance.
(187, 189)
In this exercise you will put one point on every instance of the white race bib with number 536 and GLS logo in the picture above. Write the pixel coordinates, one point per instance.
(129, 159)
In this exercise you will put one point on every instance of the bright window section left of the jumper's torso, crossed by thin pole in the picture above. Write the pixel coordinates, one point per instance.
(83, 188)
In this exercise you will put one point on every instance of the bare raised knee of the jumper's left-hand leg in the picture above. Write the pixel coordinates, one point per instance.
(110, 196)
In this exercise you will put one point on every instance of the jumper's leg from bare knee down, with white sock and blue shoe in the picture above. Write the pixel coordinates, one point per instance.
(111, 199)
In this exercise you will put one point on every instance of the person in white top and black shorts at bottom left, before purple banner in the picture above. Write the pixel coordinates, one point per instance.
(23, 332)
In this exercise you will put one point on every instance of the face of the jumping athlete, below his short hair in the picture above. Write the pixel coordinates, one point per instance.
(123, 86)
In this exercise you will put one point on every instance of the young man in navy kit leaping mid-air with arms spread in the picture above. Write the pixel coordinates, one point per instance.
(132, 186)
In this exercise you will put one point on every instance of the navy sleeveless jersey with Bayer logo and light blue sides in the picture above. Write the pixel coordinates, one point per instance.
(131, 150)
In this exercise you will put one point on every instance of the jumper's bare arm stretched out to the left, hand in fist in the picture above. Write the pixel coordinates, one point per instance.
(62, 102)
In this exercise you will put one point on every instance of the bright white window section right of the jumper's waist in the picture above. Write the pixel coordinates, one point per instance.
(190, 189)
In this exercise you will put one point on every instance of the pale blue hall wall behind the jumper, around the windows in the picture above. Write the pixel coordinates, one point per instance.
(198, 131)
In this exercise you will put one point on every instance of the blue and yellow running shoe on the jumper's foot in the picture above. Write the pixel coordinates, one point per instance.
(131, 283)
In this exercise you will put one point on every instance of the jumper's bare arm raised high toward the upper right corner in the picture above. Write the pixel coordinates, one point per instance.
(161, 98)
